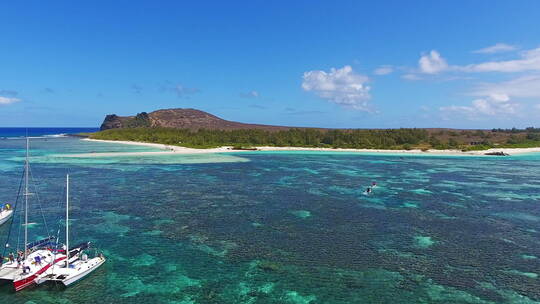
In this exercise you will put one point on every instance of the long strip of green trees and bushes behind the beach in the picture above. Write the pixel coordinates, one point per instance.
(357, 138)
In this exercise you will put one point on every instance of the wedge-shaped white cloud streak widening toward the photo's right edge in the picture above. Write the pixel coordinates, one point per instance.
(529, 61)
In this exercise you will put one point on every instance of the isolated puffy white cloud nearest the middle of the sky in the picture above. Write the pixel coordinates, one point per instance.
(341, 86)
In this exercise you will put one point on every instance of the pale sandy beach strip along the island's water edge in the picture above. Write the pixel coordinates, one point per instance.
(168, 149)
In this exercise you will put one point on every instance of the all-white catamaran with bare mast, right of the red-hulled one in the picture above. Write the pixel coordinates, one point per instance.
(78, 265)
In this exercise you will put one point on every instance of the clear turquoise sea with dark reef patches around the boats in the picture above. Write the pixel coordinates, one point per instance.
(289, 227)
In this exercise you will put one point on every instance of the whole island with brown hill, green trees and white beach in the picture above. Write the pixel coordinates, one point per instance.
(194, 129)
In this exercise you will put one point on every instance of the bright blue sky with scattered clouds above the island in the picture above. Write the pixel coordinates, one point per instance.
(354, 64)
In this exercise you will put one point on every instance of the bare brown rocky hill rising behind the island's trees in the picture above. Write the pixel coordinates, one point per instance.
(180, 119)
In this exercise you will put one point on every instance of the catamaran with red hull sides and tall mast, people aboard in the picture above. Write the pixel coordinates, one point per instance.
(24, 266)
